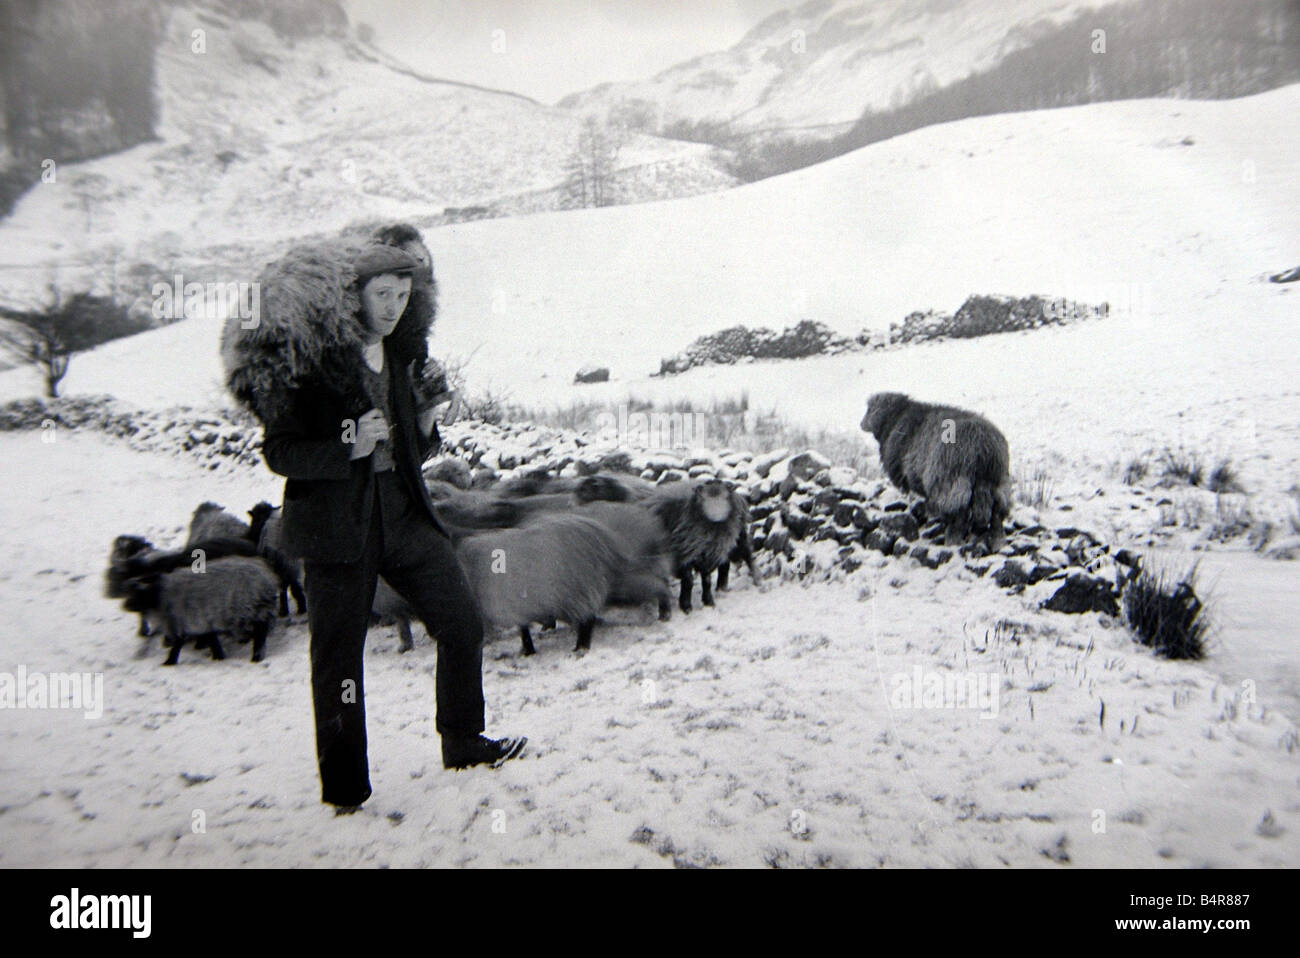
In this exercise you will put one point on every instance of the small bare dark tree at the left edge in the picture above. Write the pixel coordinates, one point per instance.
(47, 339)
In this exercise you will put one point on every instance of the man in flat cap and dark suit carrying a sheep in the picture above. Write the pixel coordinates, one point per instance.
(350, 436)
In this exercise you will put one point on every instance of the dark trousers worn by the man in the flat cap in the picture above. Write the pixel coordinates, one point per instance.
(421, 565)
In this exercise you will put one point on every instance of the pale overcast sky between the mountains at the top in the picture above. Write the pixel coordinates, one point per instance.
(556, 47)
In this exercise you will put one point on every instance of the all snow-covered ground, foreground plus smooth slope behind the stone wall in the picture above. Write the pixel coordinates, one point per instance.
(761, 732)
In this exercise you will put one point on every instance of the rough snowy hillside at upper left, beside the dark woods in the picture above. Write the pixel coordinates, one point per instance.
(263, 140)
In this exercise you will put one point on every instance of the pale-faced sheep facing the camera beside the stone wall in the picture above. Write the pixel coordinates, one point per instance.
(704, 523)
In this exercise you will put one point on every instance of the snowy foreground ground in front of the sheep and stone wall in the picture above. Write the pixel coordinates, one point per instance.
(761, 732)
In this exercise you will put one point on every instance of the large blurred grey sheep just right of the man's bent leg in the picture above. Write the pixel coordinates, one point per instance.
(557, 566)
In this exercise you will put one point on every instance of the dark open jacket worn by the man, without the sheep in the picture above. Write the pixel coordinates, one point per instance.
(328, 496)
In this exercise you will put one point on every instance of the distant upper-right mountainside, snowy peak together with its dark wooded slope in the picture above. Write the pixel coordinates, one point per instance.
(912, 66)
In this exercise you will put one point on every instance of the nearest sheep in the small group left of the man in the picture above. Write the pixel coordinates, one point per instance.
(233, 595)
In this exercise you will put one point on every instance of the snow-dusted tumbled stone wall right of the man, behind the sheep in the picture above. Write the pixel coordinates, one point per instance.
(824, 519)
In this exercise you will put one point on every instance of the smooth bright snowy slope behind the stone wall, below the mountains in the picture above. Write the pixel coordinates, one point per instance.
(1171, 211)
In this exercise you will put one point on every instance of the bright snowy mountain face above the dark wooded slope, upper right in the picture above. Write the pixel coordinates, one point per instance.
(816, 68)
